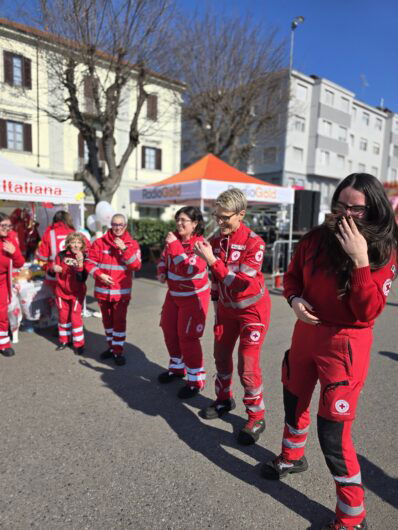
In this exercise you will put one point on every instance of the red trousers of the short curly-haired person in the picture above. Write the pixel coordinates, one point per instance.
(70, 322)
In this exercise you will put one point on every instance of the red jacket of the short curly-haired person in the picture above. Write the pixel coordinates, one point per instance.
(71, 281)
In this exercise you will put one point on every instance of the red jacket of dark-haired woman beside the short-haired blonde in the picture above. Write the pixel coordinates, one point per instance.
(186, 273)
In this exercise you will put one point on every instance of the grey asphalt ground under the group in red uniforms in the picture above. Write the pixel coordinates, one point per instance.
(88, 445)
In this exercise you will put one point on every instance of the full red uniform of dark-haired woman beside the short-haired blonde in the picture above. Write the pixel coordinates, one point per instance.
(185, 308)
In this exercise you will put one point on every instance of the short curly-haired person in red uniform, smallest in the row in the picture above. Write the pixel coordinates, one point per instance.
(70, 291)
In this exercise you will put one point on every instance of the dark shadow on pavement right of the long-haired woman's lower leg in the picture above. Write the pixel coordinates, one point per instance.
(376, 480)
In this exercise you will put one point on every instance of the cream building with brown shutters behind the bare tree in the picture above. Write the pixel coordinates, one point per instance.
(31, 138)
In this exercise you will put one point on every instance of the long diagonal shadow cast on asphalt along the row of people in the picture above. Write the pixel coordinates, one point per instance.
(136, 383)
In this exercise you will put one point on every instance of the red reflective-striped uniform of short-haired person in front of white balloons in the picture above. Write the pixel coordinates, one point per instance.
(106, 258)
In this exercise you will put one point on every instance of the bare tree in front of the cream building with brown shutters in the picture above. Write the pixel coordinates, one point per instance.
(98, 64)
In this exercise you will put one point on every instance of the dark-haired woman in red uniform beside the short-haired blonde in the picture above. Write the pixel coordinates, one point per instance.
(187, 300)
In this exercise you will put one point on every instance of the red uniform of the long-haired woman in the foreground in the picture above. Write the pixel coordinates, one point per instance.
(336, 353)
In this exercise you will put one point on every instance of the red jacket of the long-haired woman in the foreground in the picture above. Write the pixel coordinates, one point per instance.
(356, 309)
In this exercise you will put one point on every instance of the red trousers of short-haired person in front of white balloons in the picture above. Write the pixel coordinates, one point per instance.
(114, 315)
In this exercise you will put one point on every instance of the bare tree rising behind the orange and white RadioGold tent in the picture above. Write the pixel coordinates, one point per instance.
(234, 87)
